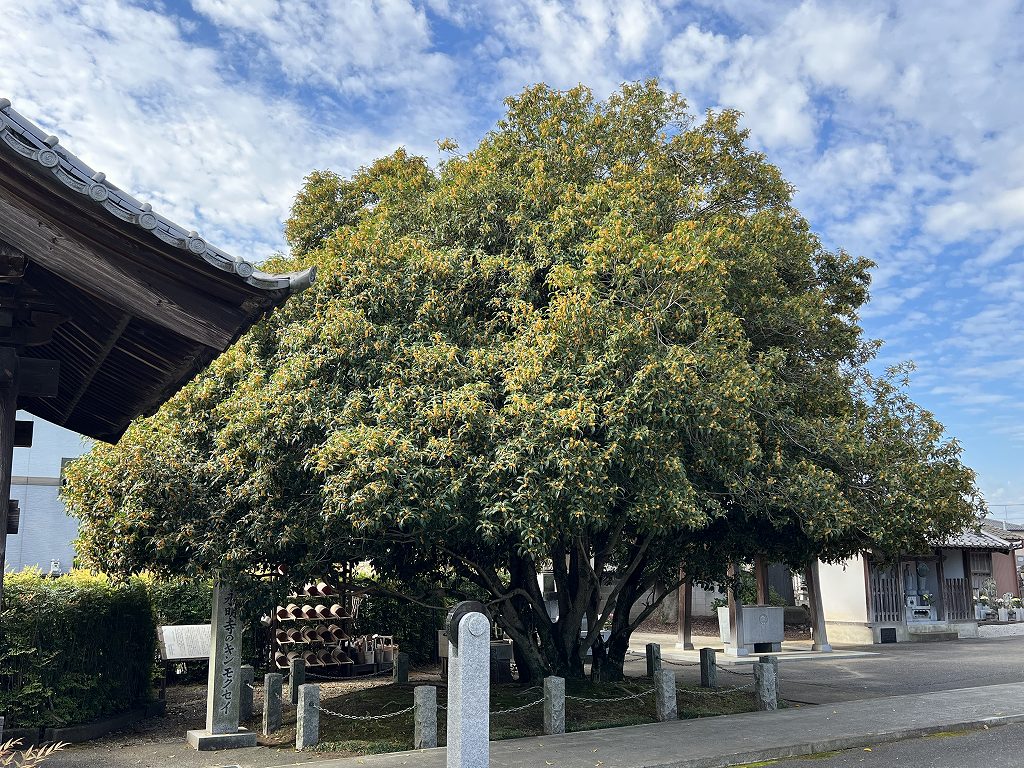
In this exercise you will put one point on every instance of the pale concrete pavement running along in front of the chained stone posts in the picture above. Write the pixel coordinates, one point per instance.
(711, 743)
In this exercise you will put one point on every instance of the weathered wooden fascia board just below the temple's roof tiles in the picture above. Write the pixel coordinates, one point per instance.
(136, 289)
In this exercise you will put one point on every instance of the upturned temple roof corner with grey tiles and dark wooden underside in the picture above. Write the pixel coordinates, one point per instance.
(145, 305)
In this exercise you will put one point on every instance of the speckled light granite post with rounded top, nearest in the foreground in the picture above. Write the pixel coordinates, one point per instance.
(470, 688)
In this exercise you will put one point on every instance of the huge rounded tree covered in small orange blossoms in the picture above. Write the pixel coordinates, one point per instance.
(603, 343)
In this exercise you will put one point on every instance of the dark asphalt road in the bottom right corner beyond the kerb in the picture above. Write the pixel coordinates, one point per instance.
(996, 748)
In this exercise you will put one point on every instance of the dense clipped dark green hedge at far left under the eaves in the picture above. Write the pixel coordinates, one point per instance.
(74, 649)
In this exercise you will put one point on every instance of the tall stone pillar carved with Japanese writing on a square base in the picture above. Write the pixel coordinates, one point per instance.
(224, 684)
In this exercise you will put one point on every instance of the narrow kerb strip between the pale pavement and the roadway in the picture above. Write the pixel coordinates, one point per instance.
(838, 745)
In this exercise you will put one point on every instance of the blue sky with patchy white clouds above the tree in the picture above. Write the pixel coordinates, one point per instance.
(902, 125)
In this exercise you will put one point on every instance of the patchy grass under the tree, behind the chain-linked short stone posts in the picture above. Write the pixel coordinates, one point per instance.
(611, 705)
